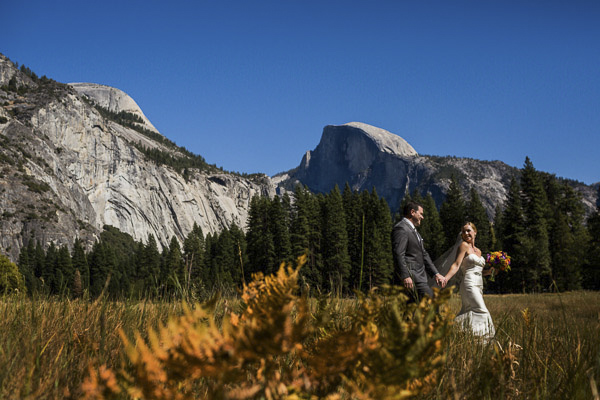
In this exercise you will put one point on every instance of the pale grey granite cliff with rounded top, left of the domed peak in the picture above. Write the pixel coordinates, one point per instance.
(66, 170)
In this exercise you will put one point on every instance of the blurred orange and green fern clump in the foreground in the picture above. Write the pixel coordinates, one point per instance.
(275, 347)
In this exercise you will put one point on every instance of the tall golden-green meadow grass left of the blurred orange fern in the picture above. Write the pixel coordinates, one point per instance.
(48, 344)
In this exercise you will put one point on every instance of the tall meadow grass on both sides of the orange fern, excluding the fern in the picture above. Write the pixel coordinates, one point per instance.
(547, 345)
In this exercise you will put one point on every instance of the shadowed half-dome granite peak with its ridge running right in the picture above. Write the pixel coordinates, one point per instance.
(368, 157)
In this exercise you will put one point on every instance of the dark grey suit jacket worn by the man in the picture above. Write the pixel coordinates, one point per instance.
(410, 257)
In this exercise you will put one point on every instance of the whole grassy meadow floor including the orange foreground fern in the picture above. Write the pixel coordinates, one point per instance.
(274, 343)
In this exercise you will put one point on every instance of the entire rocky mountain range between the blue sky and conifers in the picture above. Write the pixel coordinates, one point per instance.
(67, 168)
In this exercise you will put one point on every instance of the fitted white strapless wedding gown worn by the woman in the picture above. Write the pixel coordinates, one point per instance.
(474, 314)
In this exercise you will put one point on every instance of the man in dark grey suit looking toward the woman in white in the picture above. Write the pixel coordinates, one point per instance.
(411, 261)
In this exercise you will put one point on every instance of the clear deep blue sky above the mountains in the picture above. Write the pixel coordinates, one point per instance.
(249, 85)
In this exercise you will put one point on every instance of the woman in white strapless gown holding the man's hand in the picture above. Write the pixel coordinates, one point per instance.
(466, 257)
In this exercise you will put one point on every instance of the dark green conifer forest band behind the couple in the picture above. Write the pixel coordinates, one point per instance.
(346, 236)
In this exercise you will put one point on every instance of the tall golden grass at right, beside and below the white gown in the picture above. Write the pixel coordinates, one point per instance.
(547, 347)
